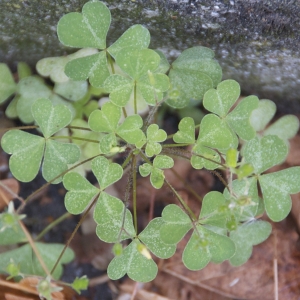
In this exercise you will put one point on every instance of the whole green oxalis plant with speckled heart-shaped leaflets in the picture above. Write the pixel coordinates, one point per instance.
(73, 132)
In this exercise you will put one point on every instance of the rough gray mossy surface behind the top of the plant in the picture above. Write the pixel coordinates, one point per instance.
(256, 42)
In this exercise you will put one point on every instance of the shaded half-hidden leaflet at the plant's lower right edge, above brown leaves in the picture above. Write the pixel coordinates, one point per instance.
(245, 237)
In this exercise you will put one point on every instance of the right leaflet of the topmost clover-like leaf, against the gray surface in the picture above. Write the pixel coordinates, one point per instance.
(136, 36)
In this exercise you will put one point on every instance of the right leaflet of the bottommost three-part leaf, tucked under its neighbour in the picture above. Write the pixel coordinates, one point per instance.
(150, 236)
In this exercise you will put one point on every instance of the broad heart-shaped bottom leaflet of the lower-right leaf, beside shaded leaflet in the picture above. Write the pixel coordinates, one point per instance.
(218, 249)
